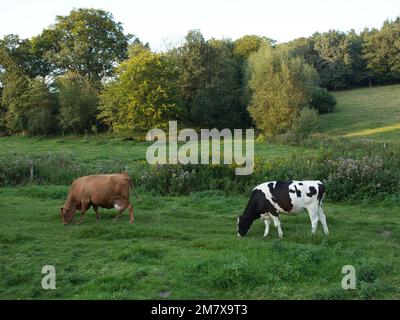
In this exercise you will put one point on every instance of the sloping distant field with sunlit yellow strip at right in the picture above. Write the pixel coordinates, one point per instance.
(368, 112)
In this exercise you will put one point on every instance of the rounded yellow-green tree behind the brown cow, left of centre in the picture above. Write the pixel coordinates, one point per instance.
(145, 94)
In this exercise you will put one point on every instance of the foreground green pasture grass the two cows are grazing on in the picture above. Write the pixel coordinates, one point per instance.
(187, 247)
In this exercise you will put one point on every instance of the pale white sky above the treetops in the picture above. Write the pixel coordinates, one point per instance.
(165, 22)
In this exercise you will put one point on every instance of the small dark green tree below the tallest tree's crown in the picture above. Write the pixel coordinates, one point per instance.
(78, 100)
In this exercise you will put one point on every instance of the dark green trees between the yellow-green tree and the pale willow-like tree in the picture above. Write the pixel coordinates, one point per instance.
(210, 80)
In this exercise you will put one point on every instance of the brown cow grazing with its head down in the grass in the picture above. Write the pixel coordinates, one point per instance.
(100, 191)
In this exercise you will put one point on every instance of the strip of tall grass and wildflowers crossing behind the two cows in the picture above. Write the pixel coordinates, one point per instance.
(352, 170)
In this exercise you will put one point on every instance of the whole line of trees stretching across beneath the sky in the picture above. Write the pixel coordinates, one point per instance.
(84, 74)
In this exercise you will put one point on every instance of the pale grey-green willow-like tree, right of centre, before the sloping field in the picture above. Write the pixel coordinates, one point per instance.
(280, 86)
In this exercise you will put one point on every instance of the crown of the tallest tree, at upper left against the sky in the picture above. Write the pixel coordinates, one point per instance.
(87, 41)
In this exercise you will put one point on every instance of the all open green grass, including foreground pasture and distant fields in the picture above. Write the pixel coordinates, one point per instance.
(186, 247)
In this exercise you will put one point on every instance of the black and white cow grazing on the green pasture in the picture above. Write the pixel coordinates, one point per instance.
(272, 198)
